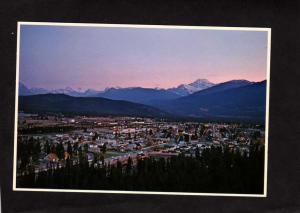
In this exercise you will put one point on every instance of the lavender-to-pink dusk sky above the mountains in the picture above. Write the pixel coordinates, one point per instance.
(98, 57)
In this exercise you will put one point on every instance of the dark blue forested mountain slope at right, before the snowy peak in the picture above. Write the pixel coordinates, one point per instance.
(241, 100)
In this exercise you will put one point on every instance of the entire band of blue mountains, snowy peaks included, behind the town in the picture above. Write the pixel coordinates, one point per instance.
(231, 100)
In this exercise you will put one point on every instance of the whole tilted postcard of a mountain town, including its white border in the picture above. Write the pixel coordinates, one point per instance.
(142, 109)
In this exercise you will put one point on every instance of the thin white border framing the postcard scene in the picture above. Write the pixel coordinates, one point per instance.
(268, 30)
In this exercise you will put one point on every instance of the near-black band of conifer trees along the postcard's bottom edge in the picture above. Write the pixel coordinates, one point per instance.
(214, 171)
